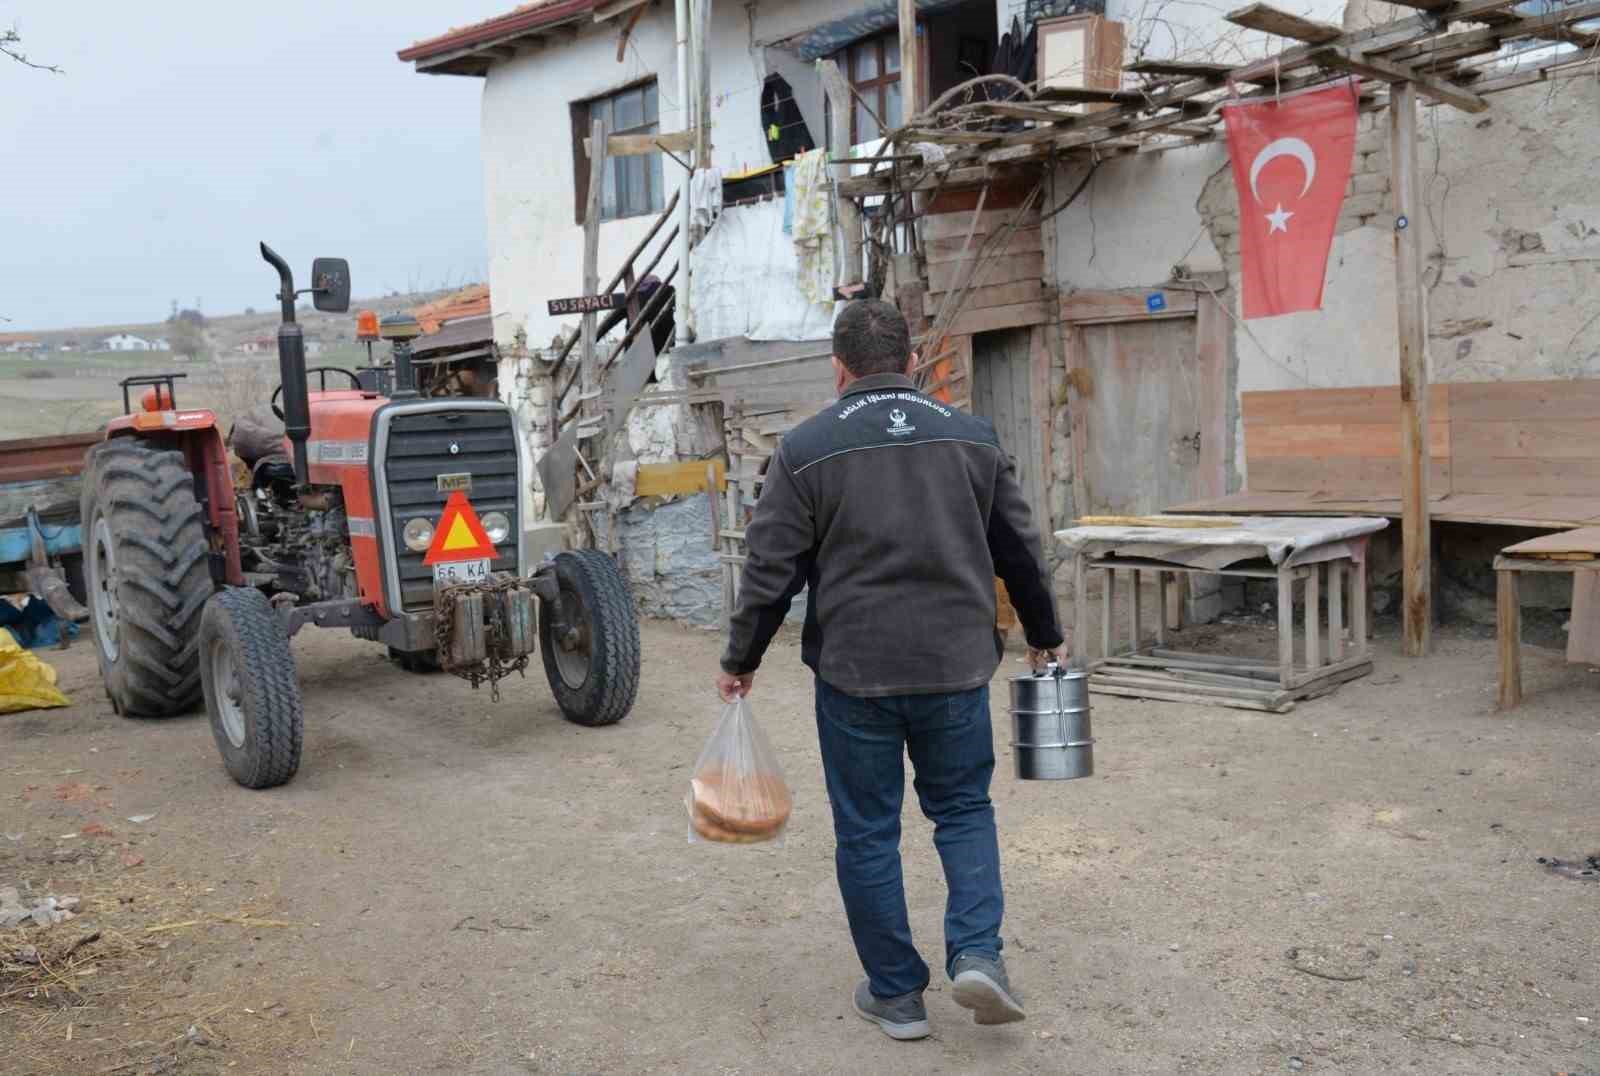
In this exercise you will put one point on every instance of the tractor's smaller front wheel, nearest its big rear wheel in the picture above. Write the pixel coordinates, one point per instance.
(252, 693)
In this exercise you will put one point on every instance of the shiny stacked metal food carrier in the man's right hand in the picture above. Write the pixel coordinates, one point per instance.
(1050, 726)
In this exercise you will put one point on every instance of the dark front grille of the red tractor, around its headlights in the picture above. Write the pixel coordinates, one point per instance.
(418, 452)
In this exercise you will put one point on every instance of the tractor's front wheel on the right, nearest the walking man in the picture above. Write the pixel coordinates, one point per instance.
(594, 675)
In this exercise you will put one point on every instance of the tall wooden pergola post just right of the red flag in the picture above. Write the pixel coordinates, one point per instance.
(1415, 532)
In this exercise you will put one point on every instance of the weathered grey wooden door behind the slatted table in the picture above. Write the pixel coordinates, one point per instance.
(1146, 409)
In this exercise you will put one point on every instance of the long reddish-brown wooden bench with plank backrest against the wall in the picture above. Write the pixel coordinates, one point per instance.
(1516, 454)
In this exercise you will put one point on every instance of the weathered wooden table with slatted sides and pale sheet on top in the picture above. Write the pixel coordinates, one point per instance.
(1129, 665)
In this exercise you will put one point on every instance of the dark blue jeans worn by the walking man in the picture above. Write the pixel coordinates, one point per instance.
(951, 745)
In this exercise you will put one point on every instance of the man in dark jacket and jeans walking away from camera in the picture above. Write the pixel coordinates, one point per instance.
(898, 513)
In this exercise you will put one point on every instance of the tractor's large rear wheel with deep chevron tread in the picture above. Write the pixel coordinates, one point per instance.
(146, 574)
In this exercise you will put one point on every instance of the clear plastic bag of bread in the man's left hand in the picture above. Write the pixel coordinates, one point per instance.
(737, 792)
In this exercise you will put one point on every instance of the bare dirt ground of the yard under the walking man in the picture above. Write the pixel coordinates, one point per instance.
(462, 886)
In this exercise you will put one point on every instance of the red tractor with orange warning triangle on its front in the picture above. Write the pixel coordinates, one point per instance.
(196, 584)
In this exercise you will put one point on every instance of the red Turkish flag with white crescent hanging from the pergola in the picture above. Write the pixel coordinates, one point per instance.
(1292, 161)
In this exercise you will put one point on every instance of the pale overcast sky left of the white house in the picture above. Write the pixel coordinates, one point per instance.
(183, 134)
